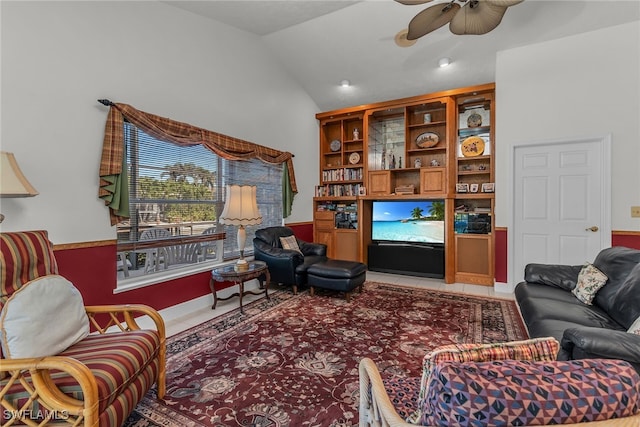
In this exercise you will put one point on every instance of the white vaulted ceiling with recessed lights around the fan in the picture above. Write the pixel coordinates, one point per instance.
(321, 42)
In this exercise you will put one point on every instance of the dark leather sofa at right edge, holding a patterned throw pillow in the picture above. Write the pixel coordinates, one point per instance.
(585, 331)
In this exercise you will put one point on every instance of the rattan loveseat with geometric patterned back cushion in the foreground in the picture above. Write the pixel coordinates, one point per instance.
(504, 384)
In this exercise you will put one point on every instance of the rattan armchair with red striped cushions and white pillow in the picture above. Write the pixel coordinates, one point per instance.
(96, 380)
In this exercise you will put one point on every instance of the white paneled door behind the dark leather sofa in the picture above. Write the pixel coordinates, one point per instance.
(561, 203)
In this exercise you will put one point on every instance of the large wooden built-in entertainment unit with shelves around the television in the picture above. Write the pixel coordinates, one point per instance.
(386, 134)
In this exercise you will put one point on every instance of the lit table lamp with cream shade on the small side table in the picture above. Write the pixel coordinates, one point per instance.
(241, 209)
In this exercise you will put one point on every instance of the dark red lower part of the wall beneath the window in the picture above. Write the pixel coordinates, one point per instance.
(91, 268)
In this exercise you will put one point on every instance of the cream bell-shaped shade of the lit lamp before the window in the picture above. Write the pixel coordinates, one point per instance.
(241, 206)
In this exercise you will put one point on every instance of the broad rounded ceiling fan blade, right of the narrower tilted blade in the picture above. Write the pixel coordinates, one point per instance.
(477, 17)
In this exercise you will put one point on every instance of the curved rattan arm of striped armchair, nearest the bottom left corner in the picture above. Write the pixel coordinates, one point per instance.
(41, 387)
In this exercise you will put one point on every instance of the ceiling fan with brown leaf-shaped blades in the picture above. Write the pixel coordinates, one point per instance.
(464, 17)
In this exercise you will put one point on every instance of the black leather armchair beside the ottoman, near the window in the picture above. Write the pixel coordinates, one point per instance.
(286, 266)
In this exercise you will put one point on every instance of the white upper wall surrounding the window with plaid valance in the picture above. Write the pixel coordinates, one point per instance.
(58, 58)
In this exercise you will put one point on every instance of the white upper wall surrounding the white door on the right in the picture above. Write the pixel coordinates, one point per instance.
(584, 85)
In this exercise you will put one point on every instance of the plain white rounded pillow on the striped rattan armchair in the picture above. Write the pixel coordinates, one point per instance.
(43, 318)
